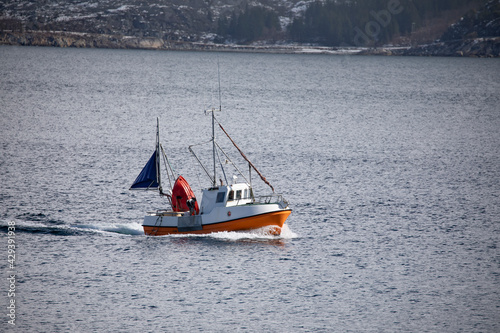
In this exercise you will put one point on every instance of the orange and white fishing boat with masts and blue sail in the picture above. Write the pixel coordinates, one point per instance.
(224, 206)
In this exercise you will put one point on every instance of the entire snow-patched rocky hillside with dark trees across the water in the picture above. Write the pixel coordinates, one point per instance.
(163, 23)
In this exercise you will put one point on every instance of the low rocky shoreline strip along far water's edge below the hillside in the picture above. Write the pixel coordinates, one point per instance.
(479, 47)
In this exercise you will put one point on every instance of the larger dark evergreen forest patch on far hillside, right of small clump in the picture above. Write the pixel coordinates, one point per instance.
(376, 22)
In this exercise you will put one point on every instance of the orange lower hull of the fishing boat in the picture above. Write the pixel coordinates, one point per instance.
(275, 220)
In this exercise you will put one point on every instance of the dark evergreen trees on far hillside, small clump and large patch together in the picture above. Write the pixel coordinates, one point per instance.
(340, 22)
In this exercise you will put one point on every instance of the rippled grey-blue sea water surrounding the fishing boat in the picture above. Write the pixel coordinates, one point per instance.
(391, 166)
